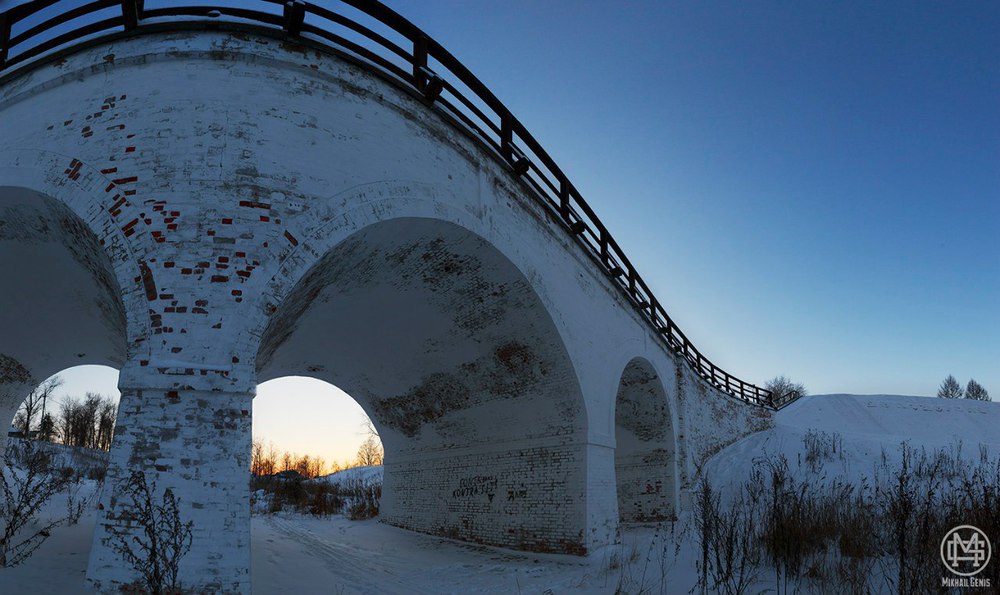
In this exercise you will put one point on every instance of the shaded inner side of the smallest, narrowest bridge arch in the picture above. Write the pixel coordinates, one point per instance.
(645, 447)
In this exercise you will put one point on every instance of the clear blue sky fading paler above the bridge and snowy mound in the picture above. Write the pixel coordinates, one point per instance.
(811, 189)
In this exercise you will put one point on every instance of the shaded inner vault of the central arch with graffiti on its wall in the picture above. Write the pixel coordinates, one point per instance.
(453, 356)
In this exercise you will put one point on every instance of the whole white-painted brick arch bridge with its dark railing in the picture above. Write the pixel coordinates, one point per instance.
(207, 198)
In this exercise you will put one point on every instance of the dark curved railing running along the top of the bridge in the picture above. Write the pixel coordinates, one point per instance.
(378, 36)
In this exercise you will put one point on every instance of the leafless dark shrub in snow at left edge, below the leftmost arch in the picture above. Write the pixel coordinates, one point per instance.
(25, 491)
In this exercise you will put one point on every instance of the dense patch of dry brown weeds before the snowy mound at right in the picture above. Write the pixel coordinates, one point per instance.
(824, 535)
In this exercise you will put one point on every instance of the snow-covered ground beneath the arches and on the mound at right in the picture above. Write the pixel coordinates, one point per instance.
(294, 553)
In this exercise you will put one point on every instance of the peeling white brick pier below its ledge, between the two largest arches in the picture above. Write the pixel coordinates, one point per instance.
(197, 443)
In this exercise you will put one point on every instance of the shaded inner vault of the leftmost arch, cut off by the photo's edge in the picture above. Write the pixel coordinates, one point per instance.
(60, 302)
